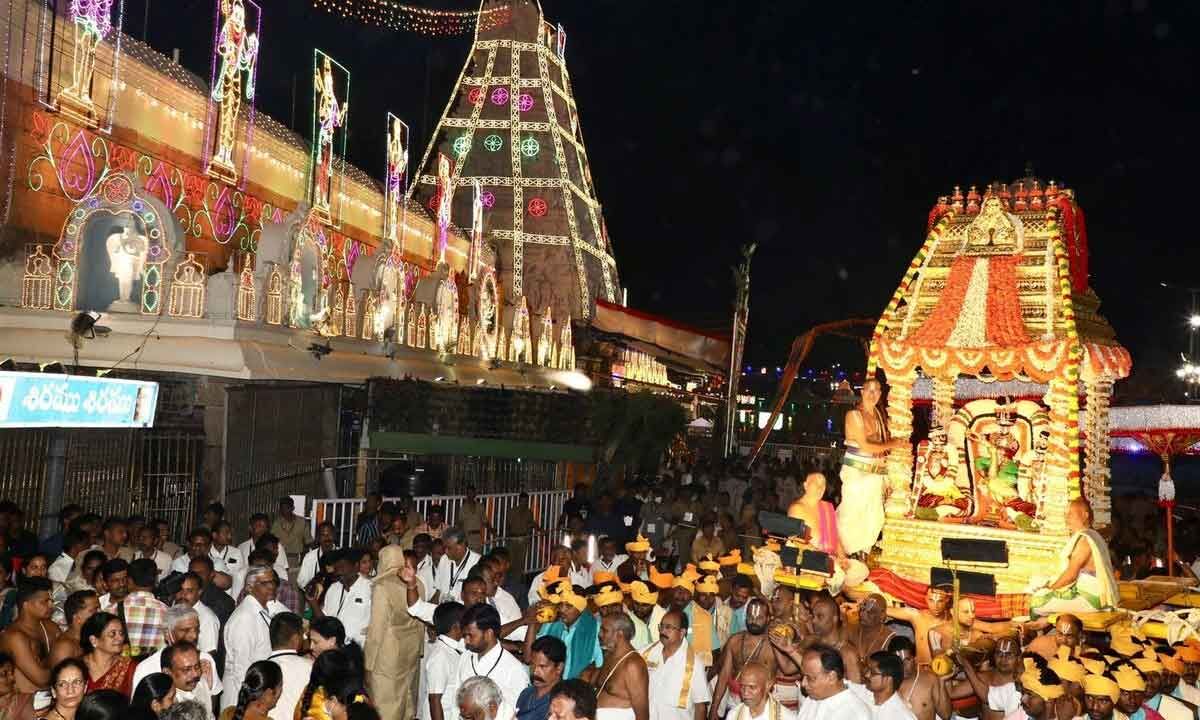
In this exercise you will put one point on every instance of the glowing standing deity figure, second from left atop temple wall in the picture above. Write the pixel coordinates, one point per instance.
(239, 55)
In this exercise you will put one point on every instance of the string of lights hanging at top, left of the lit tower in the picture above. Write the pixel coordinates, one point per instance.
(422, 21)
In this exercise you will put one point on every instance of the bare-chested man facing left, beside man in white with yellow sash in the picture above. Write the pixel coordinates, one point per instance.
(623, 683)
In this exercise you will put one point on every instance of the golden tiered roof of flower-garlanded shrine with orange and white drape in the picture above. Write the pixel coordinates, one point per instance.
(1000, 287)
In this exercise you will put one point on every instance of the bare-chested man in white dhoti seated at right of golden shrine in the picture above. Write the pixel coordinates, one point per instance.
(1084, 579)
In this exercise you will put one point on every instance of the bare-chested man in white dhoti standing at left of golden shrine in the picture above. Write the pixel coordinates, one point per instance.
(865, 472)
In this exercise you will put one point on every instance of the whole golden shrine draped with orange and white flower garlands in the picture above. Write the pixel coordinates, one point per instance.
(995, 325)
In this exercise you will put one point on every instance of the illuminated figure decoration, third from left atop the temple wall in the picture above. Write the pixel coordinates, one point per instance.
(329, 118)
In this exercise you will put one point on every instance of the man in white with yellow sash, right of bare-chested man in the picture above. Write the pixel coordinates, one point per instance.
(677, 675)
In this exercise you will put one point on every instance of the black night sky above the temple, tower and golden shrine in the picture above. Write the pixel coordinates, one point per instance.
(821, 131)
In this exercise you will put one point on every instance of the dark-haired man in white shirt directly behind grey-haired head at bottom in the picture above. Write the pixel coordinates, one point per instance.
(485, 658)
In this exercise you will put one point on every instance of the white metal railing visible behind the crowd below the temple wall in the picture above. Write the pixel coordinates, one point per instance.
(548, 508)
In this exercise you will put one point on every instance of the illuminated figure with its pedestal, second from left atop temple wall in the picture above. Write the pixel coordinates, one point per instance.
(236, 61)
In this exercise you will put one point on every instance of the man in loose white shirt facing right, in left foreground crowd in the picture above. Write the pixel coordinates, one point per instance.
(248, 633)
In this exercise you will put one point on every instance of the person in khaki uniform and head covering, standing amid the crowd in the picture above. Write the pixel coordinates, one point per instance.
(395, 643)
